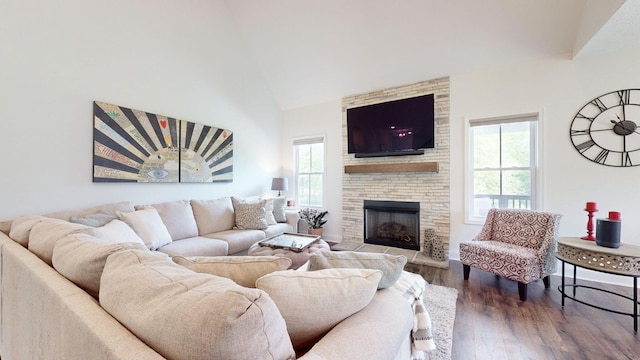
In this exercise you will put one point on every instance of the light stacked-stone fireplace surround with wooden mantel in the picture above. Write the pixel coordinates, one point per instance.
(411, 178)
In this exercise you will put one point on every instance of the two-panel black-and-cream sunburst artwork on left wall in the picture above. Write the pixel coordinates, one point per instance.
(136, 146)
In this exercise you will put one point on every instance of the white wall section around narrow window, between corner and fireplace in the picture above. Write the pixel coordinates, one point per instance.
(322, 119)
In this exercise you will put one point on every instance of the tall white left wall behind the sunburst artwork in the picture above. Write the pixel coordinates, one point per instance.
(177, 58)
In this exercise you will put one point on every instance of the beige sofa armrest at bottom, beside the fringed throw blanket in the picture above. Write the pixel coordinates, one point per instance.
(379, 331)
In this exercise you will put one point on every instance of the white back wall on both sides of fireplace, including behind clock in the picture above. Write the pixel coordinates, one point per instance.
(555, 87)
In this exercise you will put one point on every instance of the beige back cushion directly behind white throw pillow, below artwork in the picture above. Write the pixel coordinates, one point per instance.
(178, 217)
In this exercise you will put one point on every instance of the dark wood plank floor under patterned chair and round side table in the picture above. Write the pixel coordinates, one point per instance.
(492, 323)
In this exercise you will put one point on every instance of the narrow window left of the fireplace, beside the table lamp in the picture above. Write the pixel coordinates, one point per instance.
(309, 171)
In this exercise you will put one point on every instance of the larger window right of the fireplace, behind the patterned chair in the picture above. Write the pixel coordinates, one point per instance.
(503, 164)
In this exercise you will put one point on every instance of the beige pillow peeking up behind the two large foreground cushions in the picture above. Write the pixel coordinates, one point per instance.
(243, 270)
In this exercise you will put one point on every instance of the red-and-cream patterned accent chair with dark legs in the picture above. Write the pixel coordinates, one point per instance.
(517, 244)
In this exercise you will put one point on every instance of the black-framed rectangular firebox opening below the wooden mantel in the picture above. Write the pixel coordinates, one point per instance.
(392, 223)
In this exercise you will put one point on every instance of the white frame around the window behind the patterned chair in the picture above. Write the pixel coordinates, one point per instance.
(535, 160)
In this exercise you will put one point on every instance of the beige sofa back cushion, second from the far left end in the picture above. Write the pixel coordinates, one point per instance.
(45, 234)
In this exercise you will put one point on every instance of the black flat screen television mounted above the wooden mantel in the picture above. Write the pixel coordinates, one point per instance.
(399, 127)
